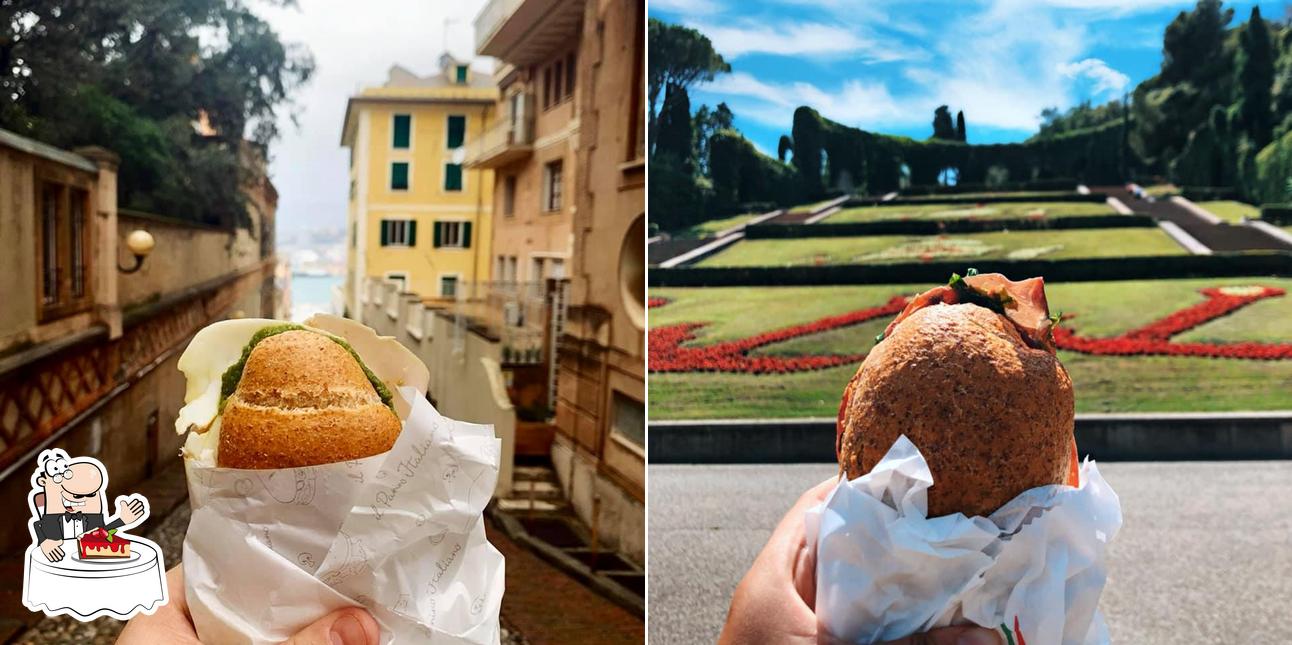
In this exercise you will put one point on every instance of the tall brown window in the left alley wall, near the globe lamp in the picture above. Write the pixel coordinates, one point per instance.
(64, 248)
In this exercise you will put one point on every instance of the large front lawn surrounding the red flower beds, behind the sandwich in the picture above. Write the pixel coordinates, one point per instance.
(1104, 385)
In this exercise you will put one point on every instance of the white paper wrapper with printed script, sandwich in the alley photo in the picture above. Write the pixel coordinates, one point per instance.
(269, 553)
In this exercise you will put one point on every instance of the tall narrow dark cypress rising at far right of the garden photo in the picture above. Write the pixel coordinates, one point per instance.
(1255, 63)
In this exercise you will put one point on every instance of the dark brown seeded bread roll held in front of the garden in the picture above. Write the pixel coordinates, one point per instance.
(992, 414)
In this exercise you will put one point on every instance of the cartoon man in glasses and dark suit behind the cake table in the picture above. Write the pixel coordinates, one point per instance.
(68, 502)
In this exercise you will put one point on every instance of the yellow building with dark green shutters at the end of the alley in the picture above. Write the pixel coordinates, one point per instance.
(417, 217)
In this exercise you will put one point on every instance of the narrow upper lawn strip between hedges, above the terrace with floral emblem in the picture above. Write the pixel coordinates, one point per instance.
(986, 211)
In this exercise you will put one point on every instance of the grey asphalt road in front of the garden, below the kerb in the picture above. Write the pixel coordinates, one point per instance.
(1205, 555)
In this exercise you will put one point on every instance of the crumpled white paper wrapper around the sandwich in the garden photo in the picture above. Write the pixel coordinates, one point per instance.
(1037, 567)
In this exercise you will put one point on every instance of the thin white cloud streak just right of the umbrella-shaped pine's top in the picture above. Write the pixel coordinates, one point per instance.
(804, 39)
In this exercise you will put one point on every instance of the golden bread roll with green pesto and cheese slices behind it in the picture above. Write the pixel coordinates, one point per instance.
(303, 400)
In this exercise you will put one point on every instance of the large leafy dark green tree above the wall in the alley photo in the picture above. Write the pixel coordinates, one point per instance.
(134, 77)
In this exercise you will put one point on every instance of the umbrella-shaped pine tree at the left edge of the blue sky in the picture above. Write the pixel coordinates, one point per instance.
(679, 58)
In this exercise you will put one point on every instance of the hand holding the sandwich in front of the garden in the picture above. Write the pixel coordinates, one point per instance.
(776, 600)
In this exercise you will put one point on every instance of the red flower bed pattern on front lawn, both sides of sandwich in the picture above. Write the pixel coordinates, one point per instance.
(669, 355)
